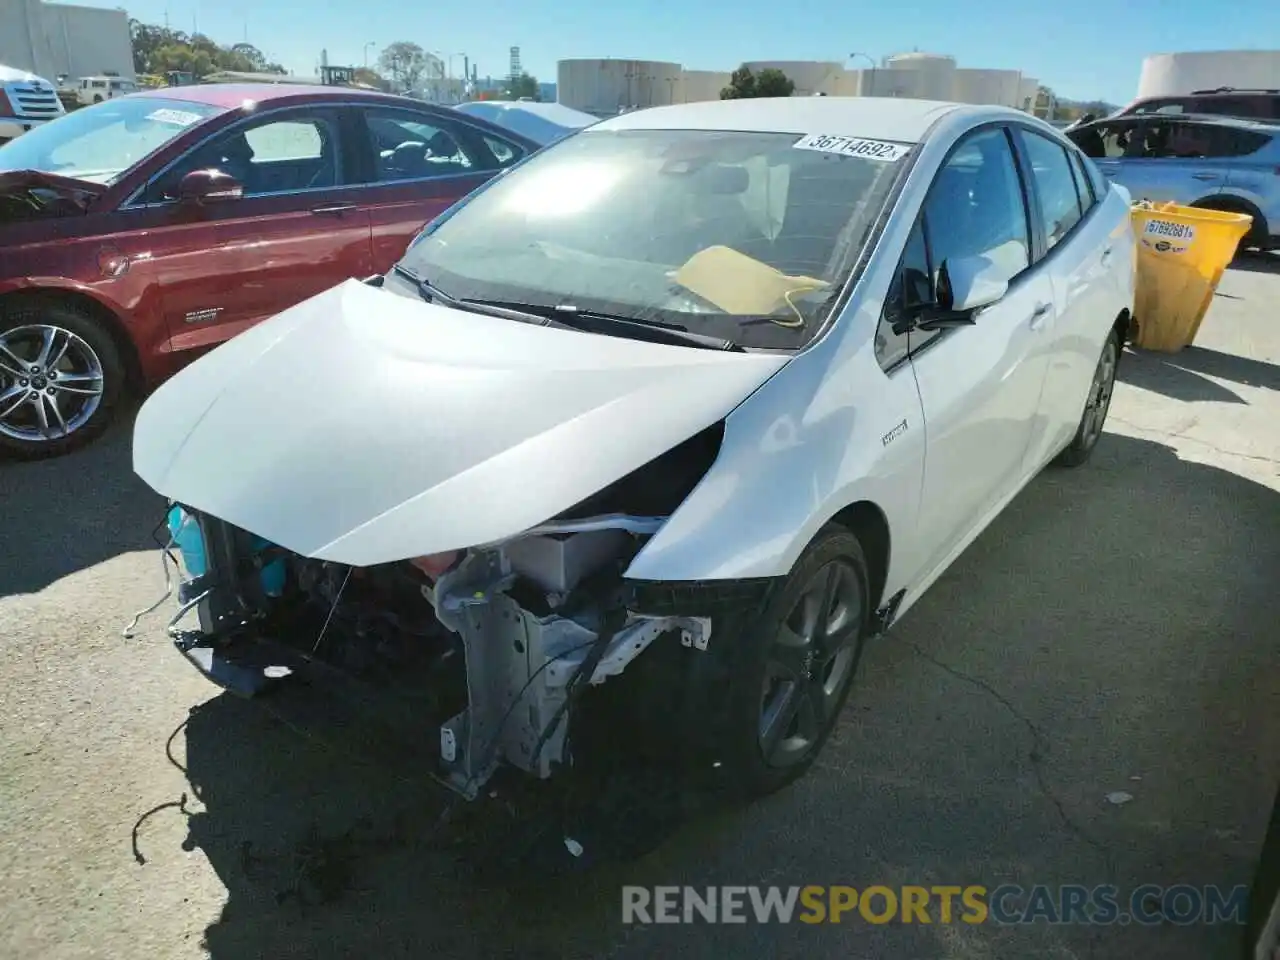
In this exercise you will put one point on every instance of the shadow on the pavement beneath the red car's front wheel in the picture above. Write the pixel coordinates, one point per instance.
(72, 513)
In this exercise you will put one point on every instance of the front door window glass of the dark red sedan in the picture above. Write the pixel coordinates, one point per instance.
(273, 157)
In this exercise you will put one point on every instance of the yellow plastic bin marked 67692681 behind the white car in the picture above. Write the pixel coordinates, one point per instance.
(1182, 255)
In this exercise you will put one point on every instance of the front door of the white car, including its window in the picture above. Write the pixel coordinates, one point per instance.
(980, 385)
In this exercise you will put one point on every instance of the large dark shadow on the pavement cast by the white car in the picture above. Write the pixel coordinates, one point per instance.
(1089, 634)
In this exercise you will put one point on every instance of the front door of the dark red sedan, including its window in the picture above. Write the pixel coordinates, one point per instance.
(301, 227)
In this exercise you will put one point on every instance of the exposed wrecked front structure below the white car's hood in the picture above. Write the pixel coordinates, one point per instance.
(483, 653)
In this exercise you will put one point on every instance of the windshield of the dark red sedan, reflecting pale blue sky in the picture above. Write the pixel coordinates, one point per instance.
(102, 143)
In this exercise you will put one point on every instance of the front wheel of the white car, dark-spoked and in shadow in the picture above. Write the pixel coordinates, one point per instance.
(790, 666)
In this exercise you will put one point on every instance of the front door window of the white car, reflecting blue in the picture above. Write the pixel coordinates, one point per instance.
(976, 207)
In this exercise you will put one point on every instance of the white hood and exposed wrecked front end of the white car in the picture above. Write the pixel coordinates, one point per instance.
(446, 538)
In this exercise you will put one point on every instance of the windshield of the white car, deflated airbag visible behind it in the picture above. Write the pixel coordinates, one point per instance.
(742, 236)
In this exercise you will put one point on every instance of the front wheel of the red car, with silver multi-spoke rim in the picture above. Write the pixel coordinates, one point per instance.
(61, 380)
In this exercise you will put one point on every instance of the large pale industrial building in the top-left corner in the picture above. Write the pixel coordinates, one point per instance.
(57, 40)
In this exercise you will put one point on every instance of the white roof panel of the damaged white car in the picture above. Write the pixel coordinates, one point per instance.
(874, 118)
